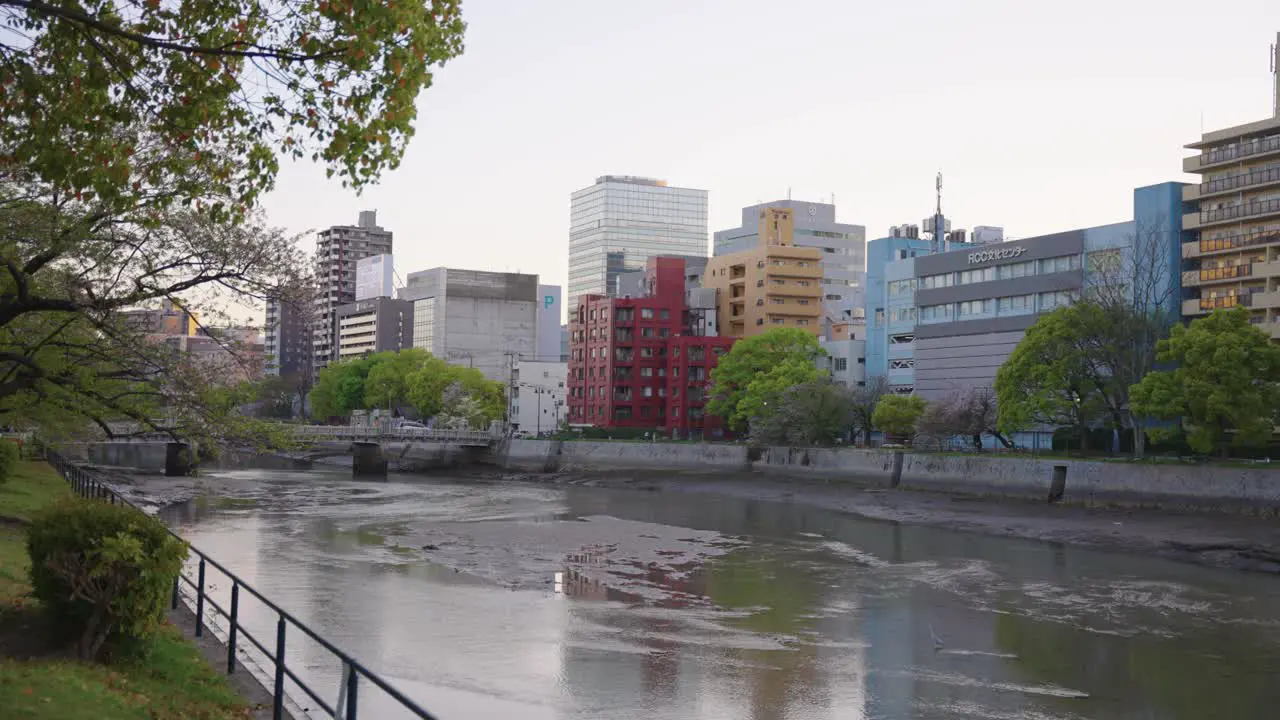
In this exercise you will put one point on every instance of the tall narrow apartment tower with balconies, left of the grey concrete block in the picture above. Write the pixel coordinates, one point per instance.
(339, 249)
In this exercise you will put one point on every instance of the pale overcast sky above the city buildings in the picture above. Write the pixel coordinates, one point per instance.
(1041, 117)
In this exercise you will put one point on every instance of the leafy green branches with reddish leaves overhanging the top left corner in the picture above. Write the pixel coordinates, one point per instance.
(149, 103)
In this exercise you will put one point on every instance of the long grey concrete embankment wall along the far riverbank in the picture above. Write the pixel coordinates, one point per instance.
(1086, 482)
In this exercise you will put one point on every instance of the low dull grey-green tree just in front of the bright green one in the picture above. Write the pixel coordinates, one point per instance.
(812, 413)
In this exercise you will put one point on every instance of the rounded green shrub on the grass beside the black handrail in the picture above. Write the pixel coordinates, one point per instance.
(103, 573)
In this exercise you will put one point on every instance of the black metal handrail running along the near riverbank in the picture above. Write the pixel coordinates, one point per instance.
(85, 485)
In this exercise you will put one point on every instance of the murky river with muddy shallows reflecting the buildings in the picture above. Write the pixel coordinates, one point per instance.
(490, 600)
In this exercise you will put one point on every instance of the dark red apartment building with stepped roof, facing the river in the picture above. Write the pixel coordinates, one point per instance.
(634, 362)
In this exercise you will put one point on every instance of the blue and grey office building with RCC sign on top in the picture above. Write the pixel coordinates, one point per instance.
(944, 323)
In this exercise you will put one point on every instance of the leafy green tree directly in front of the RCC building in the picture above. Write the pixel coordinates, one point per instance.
(1049, 379)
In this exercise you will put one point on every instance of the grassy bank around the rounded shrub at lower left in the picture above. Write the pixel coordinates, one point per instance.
(42, 682)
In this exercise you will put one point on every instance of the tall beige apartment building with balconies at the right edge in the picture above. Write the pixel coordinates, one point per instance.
(1232, 257)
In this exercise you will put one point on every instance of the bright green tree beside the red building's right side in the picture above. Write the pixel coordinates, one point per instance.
(755, 357)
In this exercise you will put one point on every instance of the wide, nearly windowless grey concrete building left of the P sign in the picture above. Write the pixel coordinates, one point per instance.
(474, 318)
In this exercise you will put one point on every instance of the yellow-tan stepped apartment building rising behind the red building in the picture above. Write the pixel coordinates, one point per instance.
(774, 285)
